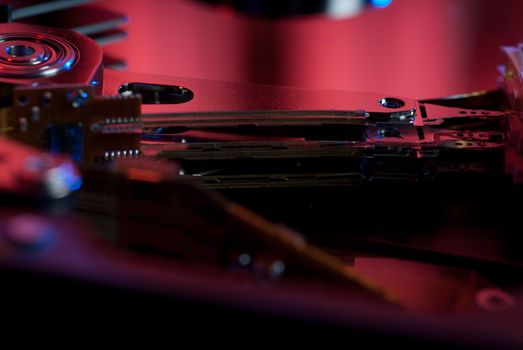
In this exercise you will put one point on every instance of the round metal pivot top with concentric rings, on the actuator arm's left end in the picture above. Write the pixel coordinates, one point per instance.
(31, 55)
